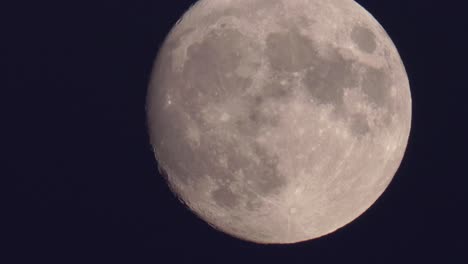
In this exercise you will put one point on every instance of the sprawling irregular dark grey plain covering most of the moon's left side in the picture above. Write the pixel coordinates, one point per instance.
(206, 65)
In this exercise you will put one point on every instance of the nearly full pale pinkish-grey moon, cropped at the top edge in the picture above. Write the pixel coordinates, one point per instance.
(278, 121)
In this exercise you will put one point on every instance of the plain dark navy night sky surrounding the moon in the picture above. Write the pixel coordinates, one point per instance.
(82, 184)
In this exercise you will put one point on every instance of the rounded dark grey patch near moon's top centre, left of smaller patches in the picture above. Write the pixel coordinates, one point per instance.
(289, 51)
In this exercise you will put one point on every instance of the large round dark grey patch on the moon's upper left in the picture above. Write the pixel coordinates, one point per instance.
(209, 62)
